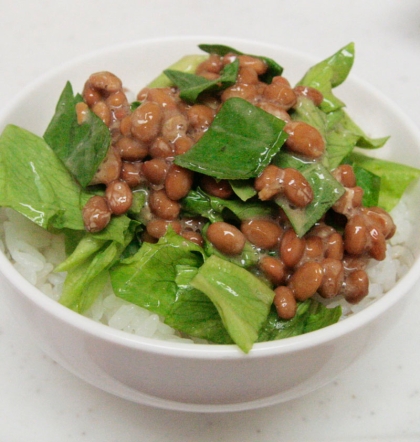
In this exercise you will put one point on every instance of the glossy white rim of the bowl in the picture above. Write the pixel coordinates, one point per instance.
(194, 350)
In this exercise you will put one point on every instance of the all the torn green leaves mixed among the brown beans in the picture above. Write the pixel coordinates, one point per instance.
(197, 290)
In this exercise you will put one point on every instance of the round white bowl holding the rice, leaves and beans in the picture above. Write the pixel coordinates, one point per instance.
(194, 377)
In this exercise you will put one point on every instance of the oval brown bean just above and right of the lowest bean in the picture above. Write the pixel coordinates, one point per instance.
(306, 280)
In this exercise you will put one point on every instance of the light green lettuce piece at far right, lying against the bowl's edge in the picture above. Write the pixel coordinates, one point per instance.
(395, 177)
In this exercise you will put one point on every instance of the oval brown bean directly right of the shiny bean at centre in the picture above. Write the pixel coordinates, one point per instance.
(262, 233)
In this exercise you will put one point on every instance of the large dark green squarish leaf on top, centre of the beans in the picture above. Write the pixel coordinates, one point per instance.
(239, 143)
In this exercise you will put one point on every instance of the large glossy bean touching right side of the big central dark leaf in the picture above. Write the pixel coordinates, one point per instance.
(304, 139)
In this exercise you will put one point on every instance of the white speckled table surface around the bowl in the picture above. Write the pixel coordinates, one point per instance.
(378, 398)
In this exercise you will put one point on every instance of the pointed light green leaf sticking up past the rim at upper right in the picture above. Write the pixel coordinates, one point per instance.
(329, 74)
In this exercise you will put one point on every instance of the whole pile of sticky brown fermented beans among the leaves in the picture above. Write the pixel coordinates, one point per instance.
(326, 261)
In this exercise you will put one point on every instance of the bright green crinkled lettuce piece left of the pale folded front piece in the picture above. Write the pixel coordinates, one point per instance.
(148, 278)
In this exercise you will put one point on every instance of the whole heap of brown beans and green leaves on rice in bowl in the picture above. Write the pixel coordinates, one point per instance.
(230, 205)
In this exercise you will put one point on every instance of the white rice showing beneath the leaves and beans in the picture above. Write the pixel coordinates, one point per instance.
(35, 253)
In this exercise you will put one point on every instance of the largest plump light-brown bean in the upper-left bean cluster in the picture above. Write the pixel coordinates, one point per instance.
(146, 121)
